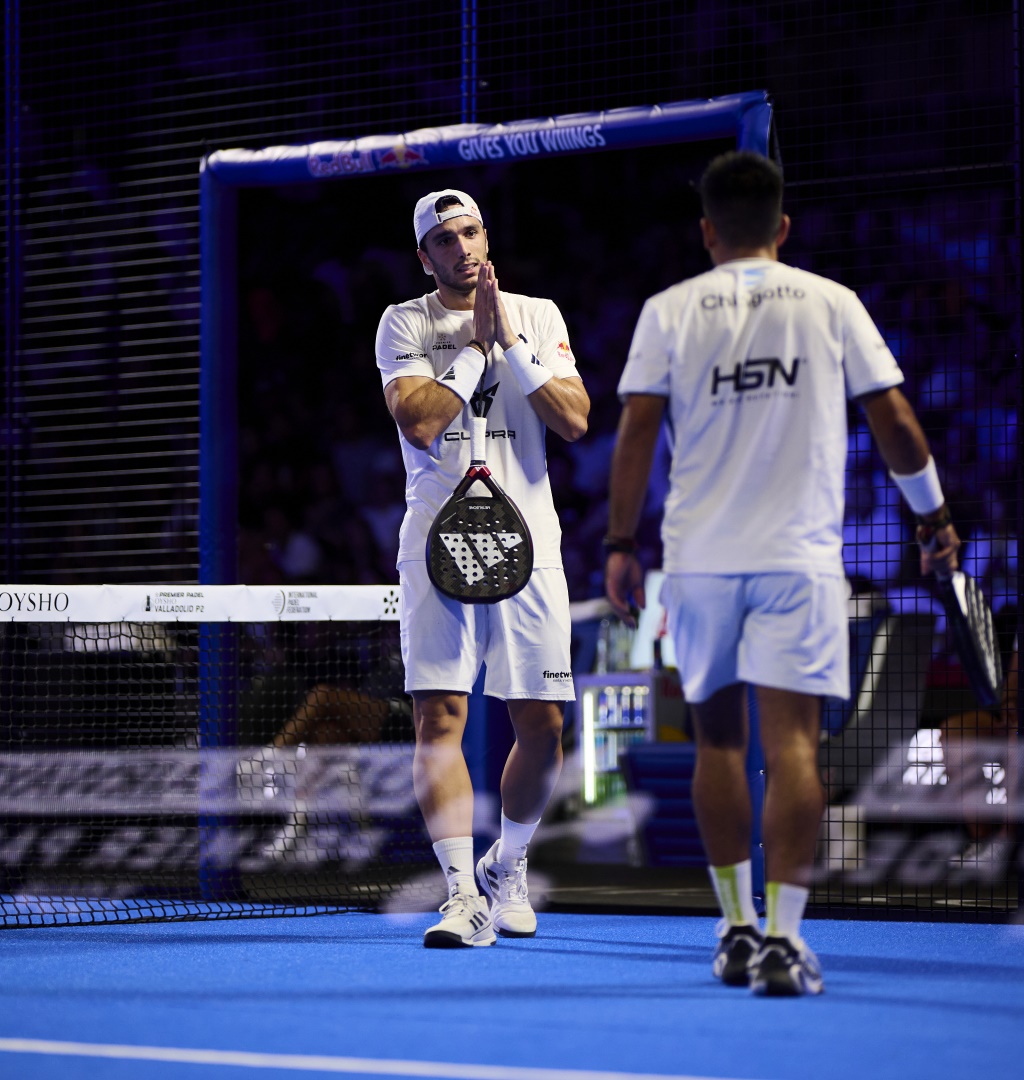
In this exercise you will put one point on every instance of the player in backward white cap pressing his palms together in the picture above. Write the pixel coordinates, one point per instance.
(468, 350)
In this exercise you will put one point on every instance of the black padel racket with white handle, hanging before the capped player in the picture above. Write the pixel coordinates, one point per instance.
(479, 549)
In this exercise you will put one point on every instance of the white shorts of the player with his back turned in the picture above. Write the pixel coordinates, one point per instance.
(787, 631)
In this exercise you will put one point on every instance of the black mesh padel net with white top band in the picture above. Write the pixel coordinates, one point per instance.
(191, 752)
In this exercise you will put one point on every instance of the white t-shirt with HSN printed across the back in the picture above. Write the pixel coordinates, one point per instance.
(758, 361)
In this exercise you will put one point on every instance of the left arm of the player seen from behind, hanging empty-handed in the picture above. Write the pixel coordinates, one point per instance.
(631, 461)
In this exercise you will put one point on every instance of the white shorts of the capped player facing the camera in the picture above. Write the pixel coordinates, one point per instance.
(523, 641)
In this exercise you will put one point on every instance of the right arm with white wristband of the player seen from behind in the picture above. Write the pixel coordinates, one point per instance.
(905, 450)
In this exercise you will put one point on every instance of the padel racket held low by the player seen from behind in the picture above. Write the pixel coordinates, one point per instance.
(974, 632)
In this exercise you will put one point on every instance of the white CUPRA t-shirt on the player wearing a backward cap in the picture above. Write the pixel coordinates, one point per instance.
(423, 337)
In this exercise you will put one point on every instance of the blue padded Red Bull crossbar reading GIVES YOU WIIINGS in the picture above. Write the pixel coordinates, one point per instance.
(739, 116)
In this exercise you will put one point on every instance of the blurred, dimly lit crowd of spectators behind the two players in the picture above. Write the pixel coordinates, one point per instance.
(322, 478)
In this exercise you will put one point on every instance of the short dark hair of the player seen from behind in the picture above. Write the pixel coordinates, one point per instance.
(742, 193)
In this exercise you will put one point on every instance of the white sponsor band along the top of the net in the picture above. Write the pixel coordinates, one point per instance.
(144, 604)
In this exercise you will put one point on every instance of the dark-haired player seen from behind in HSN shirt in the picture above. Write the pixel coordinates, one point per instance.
(753, 363)
